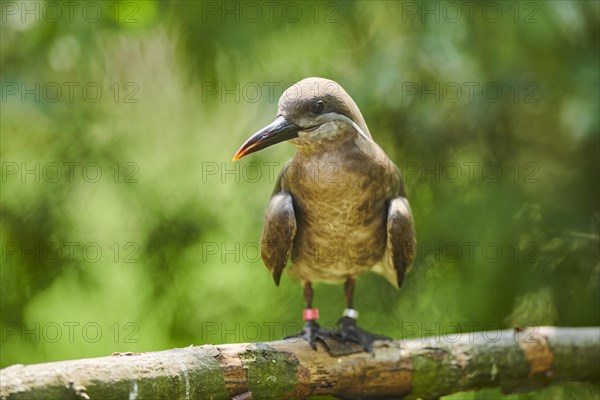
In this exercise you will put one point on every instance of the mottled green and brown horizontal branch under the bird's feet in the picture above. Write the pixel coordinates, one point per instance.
(427, 368)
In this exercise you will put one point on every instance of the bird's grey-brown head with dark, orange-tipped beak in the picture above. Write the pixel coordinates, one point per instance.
(310, 114)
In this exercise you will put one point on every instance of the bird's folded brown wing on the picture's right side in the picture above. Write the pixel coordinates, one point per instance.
(401, 240)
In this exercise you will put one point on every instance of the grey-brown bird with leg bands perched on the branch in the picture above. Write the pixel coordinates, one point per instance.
(339, 207)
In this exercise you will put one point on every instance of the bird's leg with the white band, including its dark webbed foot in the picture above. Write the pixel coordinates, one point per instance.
(348, 330)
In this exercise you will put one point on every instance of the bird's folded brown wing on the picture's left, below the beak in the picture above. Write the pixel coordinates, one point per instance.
(279, 230)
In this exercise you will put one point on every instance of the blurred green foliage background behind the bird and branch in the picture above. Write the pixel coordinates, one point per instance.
(489, 108)
